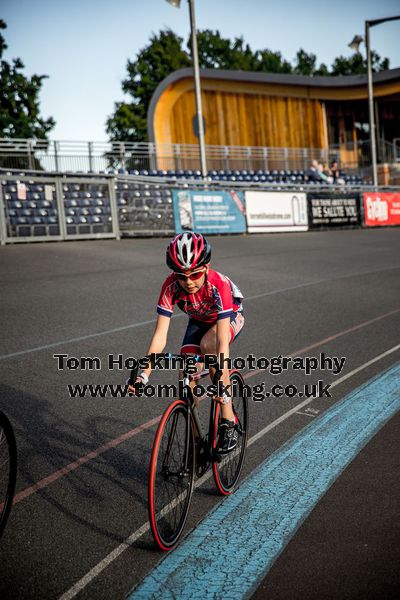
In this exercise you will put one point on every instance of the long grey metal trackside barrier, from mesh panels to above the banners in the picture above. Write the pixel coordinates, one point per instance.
(36, 207)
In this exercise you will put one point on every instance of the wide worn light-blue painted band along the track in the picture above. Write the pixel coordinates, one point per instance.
(233, 548)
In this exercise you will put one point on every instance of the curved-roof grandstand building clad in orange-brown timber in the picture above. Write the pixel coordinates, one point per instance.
(245, 109)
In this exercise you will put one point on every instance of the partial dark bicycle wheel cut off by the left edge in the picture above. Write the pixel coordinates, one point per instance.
(8, 469)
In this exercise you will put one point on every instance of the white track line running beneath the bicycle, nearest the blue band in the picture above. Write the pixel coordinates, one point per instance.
(103, 564)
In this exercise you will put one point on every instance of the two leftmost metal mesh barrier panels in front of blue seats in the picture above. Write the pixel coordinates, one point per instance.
(45, 208)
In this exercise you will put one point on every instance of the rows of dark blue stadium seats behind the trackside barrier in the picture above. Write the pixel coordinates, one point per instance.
(141, 205)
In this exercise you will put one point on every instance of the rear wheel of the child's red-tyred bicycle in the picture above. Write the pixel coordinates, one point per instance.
(227, 471)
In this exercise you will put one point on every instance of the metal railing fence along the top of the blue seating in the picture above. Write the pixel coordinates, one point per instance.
(103, 157)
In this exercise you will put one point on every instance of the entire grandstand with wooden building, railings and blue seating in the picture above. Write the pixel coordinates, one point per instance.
(57, 190)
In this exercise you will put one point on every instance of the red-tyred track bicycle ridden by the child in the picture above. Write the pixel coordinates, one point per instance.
(182, 449)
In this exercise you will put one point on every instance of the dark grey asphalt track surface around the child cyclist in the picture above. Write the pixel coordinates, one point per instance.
(301, 290)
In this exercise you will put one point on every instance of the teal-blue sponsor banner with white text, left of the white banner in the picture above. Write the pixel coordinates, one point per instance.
(209, 211)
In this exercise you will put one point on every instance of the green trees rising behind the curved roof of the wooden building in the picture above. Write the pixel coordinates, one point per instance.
(165, 53)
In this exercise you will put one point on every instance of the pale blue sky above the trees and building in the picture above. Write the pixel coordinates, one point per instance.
(83, 45)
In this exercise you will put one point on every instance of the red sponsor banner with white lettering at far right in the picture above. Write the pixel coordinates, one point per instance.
(381, 208)
